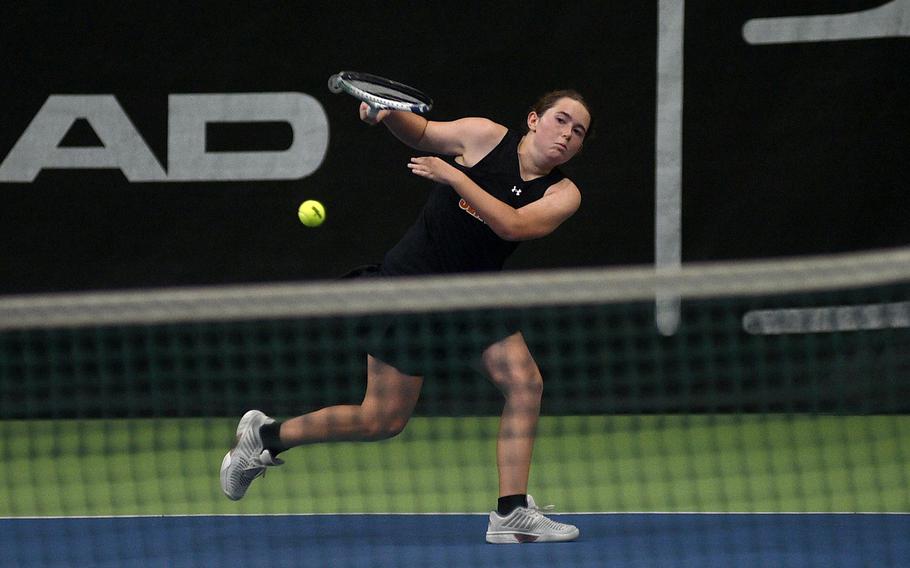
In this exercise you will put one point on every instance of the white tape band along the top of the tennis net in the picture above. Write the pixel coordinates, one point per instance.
(415, 295)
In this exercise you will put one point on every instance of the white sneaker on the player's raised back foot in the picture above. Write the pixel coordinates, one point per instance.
(247, 460)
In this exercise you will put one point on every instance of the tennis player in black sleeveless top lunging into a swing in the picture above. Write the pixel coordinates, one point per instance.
(498, 187)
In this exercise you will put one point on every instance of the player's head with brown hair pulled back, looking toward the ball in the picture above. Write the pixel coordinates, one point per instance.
(560, 131)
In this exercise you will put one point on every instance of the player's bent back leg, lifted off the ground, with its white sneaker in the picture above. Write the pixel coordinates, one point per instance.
(386, 407)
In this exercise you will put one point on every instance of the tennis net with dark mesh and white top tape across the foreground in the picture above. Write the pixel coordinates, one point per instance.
(785, 389)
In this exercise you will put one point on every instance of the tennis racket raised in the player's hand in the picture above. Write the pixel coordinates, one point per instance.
(380, 93)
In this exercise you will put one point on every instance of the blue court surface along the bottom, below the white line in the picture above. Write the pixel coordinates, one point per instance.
(405, 541)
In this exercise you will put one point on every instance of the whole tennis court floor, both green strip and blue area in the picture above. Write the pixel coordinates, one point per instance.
(142, 493)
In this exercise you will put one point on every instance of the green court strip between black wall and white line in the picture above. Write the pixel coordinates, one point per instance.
(691, 463)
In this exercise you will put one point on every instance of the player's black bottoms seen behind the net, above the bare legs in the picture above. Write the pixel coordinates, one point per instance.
(432, 343)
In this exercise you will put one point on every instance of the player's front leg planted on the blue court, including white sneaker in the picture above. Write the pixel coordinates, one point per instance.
(517, 519)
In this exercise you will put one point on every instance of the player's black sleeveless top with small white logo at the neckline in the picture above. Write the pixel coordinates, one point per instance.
(449, 236)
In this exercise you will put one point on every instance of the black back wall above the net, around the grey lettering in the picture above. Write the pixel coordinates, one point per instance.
(788, 149)
